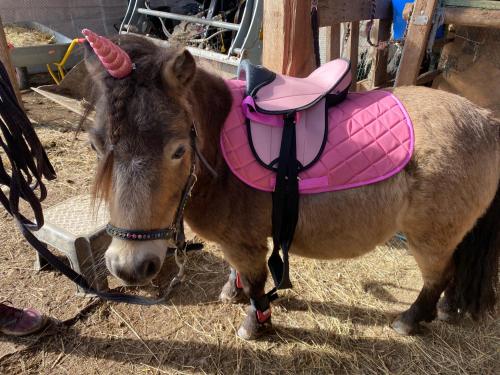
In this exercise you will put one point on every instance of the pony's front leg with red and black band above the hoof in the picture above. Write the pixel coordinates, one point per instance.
(250, 263)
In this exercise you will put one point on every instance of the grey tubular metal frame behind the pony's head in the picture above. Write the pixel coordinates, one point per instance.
(247, 43)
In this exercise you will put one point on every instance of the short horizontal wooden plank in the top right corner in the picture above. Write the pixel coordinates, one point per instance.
(473, 17)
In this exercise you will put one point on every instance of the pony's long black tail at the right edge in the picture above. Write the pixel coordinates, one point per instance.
(476, 264)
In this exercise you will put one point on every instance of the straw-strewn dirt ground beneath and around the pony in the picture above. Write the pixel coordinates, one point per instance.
(335, 320)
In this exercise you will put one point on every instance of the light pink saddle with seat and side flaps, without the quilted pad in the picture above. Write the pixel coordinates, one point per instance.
(271, 99)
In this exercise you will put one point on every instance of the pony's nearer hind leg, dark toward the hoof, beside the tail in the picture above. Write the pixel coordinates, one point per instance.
(436, 268)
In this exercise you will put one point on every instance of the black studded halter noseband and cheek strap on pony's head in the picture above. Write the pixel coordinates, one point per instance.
(176, 230)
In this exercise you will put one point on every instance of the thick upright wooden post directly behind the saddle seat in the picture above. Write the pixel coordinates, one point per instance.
(288, 43)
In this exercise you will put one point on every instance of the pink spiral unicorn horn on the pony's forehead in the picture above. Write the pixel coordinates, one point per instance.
(114, 59)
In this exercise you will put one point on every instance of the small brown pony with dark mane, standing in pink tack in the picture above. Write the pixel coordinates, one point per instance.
(446, 200)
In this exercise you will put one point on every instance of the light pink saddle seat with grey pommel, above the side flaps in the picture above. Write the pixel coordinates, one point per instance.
(280, 94)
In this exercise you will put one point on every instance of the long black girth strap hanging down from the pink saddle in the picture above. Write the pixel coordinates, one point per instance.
(285, 211)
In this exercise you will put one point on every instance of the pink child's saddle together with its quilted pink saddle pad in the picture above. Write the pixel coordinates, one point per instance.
(362, 139)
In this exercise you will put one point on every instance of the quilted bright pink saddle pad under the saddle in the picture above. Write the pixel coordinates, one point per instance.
(370, 138)
